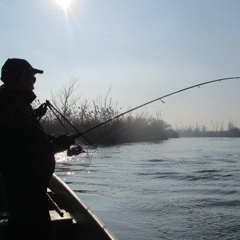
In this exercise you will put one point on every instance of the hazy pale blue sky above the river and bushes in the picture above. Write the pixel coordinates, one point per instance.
(144, 49)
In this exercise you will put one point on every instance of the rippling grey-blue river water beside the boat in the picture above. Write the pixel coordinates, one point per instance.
(186, 188)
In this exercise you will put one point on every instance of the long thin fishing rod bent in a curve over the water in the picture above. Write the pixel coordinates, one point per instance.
(75, 136)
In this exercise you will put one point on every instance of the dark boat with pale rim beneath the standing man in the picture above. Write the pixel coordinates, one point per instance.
(71, 218)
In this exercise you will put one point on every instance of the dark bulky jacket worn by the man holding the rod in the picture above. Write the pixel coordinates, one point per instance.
(25, 161)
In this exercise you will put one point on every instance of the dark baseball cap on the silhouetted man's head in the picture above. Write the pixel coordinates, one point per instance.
(14, 66)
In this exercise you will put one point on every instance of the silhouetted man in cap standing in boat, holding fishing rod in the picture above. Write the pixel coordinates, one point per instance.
(26, 153)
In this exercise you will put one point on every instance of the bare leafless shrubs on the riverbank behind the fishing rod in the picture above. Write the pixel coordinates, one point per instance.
(84, 116)
